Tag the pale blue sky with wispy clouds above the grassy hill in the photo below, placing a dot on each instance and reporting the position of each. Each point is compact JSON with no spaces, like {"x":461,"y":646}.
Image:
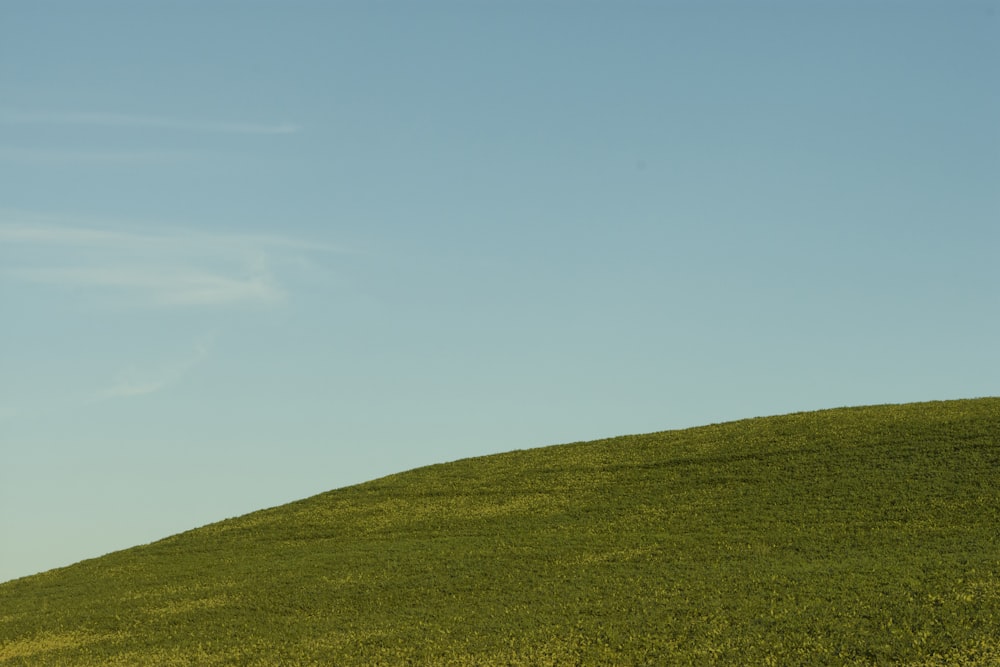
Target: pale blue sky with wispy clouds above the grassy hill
{"x":253,"y":251}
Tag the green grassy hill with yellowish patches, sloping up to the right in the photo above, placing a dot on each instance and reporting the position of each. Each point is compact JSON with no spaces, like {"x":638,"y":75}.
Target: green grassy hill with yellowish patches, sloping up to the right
{"x":850,"y":536}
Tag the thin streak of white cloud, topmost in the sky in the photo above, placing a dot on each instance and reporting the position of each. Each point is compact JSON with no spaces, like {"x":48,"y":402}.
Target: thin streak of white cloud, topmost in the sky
{"x":13,"y":116}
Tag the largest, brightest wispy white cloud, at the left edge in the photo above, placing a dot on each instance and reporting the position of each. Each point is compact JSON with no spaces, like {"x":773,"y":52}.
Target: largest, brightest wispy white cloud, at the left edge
{"x":173,"y":268}
